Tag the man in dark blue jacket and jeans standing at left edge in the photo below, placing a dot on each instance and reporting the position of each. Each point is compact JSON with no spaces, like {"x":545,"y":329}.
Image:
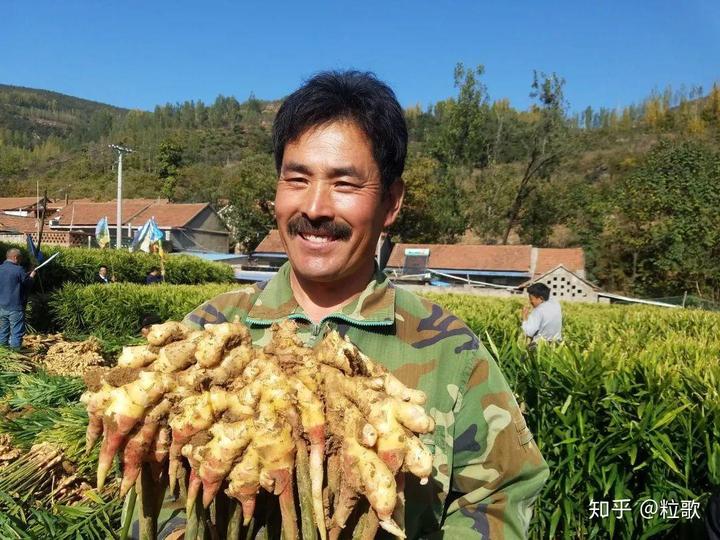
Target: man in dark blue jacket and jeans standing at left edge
{"x":14,"y":286}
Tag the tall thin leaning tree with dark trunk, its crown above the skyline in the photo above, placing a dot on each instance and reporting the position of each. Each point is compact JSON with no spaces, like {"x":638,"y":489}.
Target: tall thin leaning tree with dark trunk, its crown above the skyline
{"x":547,"y":141}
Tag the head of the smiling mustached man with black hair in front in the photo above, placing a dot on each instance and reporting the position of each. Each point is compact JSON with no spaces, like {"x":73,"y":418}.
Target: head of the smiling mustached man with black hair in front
{"x":340,"y":143}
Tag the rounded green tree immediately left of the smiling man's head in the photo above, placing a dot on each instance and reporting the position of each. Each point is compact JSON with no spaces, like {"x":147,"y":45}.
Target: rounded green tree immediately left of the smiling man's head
{"x":250,"y":186}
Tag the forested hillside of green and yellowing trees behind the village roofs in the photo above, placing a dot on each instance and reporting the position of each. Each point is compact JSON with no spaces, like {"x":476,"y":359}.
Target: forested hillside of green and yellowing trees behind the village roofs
{"x":638,"y":188}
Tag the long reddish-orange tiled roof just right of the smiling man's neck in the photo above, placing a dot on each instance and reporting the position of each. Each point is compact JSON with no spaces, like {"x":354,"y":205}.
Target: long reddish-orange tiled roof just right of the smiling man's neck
{"x":468,"y":257}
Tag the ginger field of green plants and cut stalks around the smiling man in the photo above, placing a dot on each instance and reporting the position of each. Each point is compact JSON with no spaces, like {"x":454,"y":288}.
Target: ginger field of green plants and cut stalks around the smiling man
{"x":626,"y":409}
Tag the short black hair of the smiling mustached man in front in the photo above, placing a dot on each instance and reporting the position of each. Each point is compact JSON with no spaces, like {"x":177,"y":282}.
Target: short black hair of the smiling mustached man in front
{"x":347,"y":95}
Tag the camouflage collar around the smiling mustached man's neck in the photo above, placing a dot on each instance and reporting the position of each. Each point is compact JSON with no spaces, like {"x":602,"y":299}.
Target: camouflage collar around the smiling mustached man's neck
{"x":373,"y":306}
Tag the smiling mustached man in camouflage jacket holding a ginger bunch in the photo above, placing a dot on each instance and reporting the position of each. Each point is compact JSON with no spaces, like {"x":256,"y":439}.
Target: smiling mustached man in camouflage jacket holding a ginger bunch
{"x":340,"y":143}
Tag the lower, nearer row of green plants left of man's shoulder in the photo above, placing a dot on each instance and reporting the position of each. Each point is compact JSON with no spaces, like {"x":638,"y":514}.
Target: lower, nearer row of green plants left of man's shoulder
{"x":119,"y":309}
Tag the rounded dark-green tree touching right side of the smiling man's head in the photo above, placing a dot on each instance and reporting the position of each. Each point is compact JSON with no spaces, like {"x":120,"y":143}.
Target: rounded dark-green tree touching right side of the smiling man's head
{"x":430,"y":211}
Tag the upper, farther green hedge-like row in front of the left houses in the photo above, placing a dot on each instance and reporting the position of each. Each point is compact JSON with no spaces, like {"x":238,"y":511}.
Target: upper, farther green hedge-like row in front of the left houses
{"x":80,"y":265}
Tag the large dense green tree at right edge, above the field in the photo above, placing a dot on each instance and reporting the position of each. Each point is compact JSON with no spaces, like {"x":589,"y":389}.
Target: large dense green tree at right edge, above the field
{"x":665,"y":224}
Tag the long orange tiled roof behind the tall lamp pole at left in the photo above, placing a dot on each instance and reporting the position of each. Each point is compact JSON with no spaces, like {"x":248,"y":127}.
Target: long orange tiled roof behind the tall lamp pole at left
{"x":135,"y":211}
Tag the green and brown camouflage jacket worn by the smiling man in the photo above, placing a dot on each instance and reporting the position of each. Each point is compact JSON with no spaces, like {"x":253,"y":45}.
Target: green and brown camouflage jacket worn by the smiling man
{"x":487,"y":469}
